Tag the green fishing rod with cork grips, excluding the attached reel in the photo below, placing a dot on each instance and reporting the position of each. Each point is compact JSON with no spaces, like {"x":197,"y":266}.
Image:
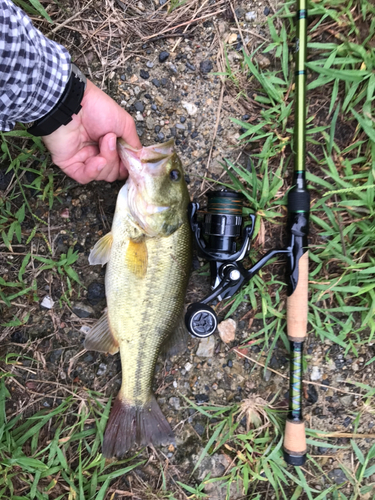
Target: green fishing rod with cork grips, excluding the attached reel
{"x":298,"y":263}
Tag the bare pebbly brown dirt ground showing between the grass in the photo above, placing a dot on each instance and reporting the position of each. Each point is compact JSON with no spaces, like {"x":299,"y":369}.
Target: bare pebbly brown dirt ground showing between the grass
{"x":181,"y":97}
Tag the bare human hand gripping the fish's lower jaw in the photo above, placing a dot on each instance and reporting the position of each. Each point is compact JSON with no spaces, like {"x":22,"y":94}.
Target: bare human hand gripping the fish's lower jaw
{"x":85,"y":149}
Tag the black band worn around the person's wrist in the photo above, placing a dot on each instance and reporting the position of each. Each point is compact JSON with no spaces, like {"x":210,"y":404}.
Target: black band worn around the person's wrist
{"x":68,"y":105}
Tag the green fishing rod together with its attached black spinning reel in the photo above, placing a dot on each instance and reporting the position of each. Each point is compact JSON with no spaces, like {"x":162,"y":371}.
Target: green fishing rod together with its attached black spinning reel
{"x":216,"y":231}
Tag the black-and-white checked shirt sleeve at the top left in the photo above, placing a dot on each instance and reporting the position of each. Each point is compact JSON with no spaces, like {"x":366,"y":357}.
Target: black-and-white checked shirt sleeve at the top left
{"x":33,"y":69}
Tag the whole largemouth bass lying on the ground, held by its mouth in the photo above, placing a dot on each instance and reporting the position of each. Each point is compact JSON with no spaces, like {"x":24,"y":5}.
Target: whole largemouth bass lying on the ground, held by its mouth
{"x":148,"y":257}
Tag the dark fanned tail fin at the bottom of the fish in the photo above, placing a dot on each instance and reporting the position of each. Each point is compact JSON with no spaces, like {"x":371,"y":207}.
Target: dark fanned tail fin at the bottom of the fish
{"x":130,"y":425}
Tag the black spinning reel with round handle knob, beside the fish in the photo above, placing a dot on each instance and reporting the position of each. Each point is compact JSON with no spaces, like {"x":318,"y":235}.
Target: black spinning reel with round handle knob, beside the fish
{"x":215,"y":232}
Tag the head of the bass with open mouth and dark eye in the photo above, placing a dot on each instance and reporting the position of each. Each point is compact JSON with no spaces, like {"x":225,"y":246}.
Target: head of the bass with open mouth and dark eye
{"x":157,"y":194}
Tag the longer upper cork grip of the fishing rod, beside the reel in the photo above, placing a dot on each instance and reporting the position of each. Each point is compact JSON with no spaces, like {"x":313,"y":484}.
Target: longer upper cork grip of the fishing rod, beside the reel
{"x":297,"y":303}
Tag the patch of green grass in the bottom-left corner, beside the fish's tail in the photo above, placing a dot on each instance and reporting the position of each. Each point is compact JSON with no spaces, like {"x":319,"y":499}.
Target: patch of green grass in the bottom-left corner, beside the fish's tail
{"x":56,"y":453}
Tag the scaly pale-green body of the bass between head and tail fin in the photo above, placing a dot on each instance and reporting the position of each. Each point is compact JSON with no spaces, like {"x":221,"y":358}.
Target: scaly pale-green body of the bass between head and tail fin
{"x":157,"y":304}
